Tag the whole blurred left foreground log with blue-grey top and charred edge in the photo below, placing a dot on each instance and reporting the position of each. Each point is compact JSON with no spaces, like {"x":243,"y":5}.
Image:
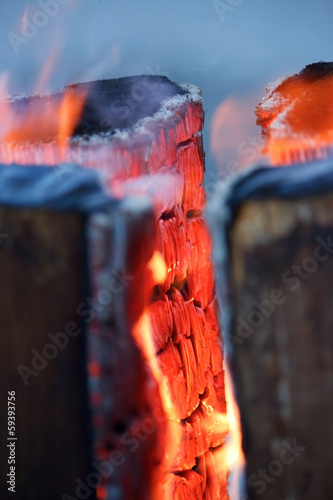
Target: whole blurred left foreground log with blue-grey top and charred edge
{"x":62,"y":336}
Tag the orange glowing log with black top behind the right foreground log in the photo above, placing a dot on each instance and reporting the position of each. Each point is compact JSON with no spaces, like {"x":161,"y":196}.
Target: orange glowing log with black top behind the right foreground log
{"x":296,"y":116}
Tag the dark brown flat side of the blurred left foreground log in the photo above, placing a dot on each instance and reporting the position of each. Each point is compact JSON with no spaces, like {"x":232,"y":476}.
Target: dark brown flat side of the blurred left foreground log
{"x":43,"y":279}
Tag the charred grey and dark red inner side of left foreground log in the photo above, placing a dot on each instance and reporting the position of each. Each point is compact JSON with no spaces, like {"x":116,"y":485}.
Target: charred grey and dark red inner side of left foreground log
{"x":126,"y":434}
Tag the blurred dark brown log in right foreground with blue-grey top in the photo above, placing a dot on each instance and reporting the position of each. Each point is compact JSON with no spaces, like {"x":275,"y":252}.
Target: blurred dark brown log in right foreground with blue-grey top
{"x":276,"y":275}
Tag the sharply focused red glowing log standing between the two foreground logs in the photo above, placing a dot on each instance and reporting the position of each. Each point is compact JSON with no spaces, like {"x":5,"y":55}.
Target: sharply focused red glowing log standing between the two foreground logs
{"x":144,"y":135}
